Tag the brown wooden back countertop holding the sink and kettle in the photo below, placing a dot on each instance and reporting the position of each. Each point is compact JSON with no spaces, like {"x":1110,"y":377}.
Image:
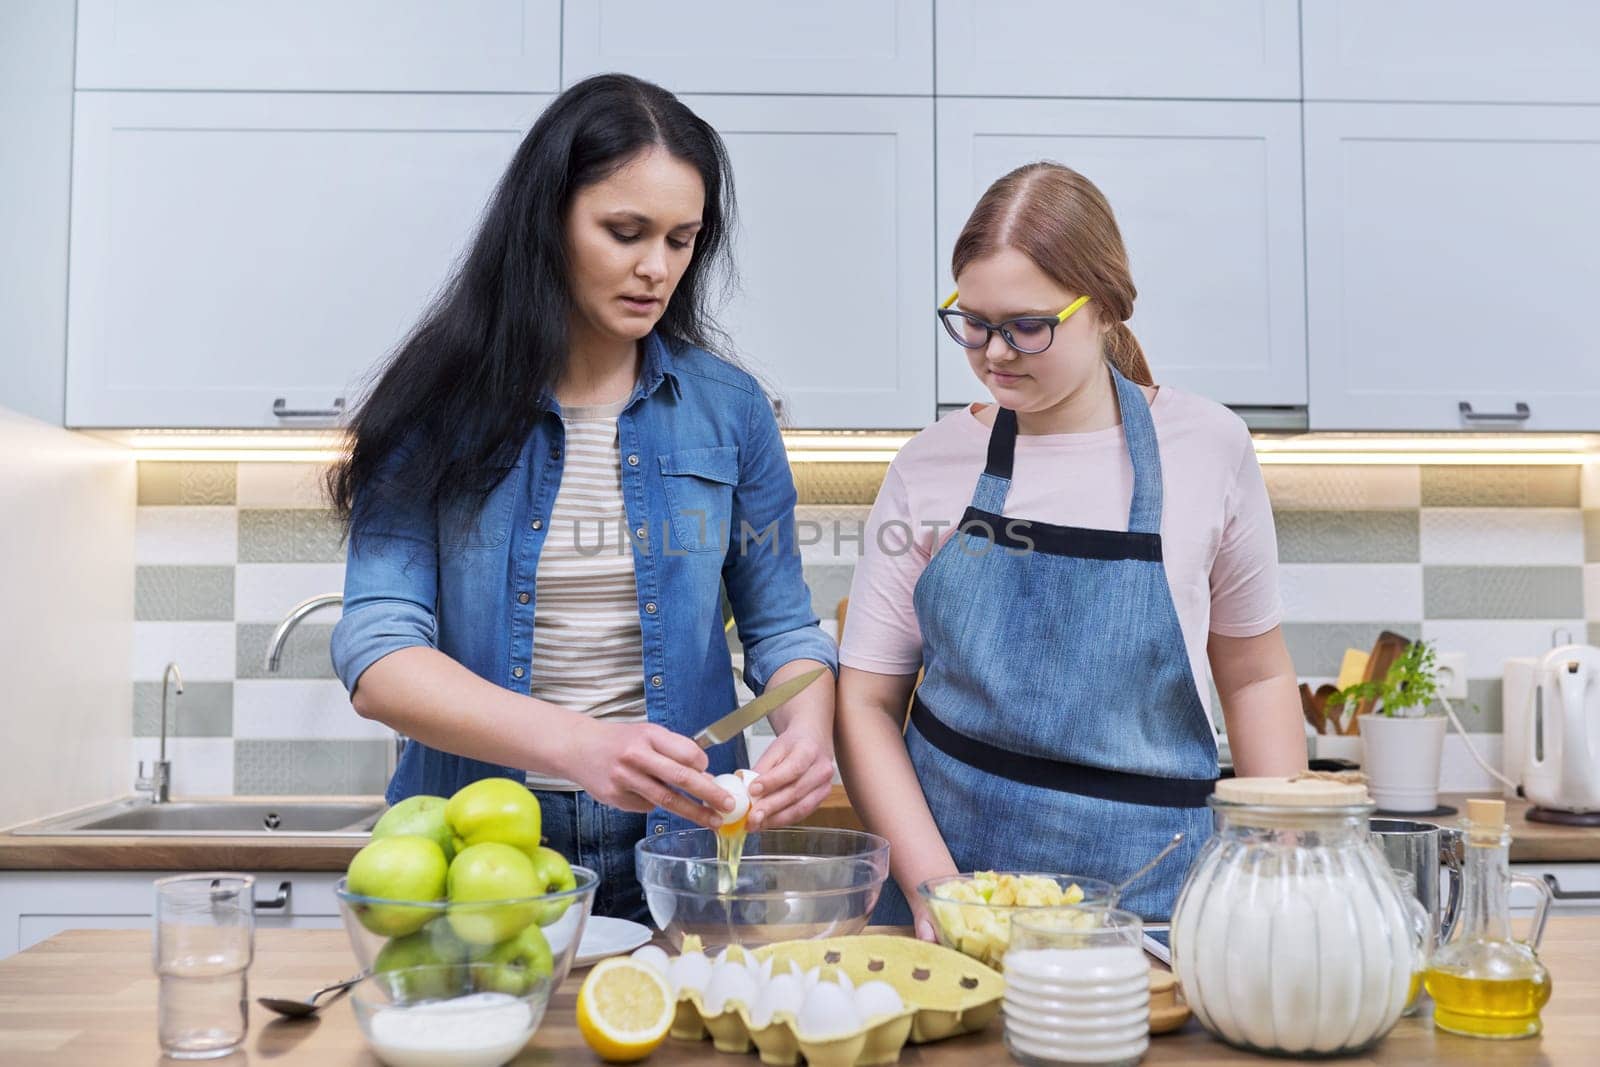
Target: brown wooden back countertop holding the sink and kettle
{"x":1532,"y":842}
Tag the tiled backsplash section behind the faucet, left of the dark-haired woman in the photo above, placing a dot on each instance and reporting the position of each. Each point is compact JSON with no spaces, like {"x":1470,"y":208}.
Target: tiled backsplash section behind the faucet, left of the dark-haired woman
{"x":223,"y":553}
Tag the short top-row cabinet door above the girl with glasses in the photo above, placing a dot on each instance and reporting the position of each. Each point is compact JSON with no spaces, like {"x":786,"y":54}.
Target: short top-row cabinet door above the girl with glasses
{"x":1154,"y":49}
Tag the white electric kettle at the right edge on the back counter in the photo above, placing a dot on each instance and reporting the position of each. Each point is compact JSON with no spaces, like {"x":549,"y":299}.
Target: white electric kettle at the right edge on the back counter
{"x":1562,"y":770}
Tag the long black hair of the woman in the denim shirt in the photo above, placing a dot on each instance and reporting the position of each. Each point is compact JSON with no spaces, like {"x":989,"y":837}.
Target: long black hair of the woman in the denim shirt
{"x":452,"y":410}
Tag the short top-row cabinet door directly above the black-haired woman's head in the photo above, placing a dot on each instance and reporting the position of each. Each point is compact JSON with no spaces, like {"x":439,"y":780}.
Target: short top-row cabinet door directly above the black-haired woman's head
{"x":881,"y":47}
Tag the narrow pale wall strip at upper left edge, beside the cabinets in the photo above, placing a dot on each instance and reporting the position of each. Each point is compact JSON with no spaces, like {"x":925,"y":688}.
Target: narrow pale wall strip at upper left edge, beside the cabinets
{"x":36,"y":170}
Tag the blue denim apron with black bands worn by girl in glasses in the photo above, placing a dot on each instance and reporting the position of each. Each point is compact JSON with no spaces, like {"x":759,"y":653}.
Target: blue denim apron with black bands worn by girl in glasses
{"x":1058,"y":725}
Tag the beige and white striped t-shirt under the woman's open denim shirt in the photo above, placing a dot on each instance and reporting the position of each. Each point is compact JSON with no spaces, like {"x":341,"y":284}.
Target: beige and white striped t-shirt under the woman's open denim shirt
{"x":588,"y":652}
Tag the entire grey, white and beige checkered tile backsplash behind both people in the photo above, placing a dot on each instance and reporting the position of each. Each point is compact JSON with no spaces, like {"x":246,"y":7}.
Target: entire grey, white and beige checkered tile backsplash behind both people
{"x":1494,"y":562}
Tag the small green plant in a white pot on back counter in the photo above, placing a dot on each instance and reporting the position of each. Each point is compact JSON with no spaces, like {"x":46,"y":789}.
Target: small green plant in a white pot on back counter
{"x":1404,"y":737}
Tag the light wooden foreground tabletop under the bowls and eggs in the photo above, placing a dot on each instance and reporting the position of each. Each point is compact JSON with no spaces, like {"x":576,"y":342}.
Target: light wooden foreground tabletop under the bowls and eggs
{"x":87,"y":997}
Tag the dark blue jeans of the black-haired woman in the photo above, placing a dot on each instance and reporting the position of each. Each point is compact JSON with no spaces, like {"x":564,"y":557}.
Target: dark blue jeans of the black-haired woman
{"x":593,"y":836}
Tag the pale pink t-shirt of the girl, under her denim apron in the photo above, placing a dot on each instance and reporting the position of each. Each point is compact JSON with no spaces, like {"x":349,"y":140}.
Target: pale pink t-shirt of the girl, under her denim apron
{"x":1218,"y":540}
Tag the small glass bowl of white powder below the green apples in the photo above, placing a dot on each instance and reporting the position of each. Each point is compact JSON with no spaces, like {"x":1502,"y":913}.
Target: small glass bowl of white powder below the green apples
{"x":465,"y":1015}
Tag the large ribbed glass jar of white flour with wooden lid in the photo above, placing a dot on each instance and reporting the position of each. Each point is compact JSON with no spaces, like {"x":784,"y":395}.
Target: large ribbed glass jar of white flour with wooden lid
{"x":1290,"y":935}
